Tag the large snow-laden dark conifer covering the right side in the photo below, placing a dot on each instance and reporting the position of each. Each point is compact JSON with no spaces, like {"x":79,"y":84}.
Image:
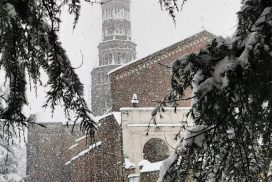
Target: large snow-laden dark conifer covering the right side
{"x":232,"y":105}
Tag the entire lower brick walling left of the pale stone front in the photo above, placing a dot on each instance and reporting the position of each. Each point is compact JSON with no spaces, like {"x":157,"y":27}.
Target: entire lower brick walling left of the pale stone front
{"x":50,"y":148}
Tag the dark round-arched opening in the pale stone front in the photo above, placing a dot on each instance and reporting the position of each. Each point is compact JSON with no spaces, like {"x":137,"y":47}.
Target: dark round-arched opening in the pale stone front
{"x":155,"y":149}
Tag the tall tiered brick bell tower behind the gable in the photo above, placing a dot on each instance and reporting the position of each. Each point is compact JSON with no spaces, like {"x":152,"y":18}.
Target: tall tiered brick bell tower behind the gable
{"x":115,"y":50}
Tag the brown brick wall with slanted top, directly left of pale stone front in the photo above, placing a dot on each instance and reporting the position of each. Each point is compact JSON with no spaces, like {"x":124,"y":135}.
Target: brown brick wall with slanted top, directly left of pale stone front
{"x":103,"y":163}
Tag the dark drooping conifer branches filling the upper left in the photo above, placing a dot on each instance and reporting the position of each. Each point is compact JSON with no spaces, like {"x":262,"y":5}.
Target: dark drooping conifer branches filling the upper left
{"x":28,"y":43}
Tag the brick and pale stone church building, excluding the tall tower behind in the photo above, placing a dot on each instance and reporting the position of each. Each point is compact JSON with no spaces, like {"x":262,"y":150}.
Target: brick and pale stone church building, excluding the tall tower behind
{"x":54,"y":154}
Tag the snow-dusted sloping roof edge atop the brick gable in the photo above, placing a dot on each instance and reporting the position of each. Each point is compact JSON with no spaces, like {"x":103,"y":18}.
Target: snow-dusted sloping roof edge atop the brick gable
{"x":185,"y":41}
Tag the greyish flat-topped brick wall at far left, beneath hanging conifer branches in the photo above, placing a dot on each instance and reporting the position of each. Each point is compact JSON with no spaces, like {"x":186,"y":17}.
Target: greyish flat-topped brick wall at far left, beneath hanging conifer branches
{"x":46,"y":151}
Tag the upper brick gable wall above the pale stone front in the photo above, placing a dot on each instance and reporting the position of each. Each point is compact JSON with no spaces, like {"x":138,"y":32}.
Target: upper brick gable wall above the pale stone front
{"x":148,"y":78}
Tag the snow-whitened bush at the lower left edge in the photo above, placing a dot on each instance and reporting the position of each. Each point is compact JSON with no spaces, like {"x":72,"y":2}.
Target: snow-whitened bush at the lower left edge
{"x":12,"y":146}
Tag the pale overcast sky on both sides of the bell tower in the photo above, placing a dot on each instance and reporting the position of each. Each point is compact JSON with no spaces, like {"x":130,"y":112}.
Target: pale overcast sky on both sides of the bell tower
{"x":152,"y":30}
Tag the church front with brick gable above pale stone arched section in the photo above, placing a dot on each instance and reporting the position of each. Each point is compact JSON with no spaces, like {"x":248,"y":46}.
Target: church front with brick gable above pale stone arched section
{"x":150,"y":79}
